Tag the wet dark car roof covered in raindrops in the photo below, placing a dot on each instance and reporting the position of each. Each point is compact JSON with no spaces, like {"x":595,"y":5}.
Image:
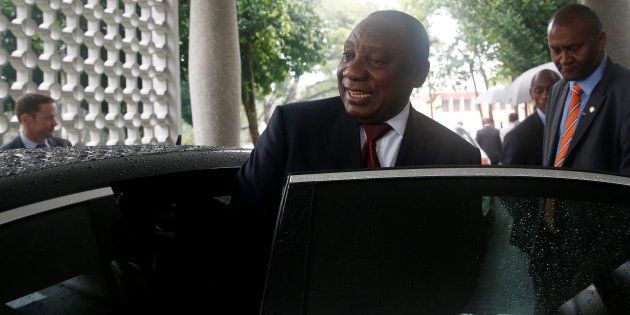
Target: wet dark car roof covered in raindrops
{"x":28,"y":175}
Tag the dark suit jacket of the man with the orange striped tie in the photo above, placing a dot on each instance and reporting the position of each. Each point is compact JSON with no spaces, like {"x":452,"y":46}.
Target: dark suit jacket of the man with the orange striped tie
{"x":602,"y":137}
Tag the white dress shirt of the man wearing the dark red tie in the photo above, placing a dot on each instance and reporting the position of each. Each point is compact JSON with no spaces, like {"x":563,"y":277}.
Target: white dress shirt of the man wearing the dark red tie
{"x":387,"y":147}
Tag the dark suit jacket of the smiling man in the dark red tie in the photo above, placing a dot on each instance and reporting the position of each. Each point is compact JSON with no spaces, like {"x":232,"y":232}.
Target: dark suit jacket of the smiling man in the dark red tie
{"x":319,"y":135}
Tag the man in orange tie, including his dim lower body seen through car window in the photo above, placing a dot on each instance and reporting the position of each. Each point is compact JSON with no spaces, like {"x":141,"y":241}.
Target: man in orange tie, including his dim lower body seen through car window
{"x":587,"y":128}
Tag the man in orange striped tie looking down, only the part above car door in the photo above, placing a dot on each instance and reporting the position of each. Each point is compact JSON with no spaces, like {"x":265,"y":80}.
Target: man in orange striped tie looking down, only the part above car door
{"x":588,"y":114}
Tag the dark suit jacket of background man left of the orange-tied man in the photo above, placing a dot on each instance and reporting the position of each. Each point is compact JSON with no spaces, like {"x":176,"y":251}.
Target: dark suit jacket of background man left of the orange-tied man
{"x":523,"y":144}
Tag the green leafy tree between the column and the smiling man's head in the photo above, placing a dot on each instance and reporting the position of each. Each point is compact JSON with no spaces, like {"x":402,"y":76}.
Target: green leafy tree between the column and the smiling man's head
{"x":286,"y":38}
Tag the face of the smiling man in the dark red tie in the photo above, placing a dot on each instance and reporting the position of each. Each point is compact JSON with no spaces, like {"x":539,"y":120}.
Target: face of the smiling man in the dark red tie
{"x":377,"y":71}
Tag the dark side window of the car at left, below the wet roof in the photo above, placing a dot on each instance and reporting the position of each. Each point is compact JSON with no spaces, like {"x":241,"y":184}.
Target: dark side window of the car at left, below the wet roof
{"x":66,"y":269}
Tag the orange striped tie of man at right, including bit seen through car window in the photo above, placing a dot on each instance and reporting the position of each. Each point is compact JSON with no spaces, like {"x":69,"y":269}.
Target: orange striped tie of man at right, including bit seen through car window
{"x":563,"y":148}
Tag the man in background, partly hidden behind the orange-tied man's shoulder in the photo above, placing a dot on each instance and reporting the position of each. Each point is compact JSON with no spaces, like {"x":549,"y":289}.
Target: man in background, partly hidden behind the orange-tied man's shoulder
{"x":523,"y":144}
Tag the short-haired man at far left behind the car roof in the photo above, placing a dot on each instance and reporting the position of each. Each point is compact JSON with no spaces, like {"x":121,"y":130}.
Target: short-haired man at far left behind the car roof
{"x":37,"y":115}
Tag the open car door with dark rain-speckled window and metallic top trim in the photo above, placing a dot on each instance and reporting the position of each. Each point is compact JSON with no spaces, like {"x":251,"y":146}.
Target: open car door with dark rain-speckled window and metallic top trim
{"x":388,"y":242}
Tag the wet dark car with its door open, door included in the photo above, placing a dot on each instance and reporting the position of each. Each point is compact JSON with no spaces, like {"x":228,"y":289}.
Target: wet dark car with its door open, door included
{"x":108,"y":230}
